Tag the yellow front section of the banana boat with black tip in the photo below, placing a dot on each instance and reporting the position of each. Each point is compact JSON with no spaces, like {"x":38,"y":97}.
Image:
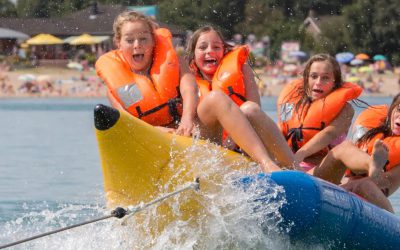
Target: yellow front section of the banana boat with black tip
{"x":140,"y":162}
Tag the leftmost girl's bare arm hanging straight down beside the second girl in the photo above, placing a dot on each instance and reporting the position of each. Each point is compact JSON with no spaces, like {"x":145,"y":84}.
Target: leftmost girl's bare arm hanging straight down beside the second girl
{"x":190,"y":99}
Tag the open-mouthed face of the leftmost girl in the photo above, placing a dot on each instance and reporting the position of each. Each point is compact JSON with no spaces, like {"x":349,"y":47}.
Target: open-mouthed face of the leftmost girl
{"x":137,"y":44}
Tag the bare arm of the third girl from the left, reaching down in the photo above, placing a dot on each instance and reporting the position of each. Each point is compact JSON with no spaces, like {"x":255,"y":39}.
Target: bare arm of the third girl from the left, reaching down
{"x":340,"y":125}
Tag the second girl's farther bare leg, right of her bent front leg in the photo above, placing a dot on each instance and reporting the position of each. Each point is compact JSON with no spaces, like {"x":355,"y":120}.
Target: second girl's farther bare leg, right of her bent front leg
{"x":269,"y":133}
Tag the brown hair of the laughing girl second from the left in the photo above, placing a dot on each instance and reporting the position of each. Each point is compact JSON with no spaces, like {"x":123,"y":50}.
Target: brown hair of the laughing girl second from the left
{"x":191,"y":47}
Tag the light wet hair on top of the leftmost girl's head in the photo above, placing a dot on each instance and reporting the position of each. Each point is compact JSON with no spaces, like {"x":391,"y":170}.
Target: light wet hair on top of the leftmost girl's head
{"x":131,"y":16}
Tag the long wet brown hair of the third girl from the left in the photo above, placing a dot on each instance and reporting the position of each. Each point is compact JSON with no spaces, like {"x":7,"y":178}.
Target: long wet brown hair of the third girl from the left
{"x":337,"y":76}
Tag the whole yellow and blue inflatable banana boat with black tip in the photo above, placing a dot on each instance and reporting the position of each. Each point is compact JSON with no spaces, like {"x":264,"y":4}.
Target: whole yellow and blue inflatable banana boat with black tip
{"x":141,"y":163}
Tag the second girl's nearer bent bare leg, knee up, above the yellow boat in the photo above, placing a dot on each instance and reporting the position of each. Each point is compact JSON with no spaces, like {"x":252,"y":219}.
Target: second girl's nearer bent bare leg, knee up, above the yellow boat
{"x":217,"y":110}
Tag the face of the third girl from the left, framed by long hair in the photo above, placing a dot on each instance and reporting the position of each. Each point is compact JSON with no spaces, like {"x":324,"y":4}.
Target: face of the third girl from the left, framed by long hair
{"x":320,"y":80}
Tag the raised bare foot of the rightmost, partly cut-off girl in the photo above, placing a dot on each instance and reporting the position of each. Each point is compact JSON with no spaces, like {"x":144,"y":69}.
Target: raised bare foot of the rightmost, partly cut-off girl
{"x":379,"y":158}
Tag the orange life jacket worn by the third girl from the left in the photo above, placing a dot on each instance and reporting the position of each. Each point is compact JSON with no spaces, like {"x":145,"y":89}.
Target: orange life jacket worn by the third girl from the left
{"x":299,"y":126}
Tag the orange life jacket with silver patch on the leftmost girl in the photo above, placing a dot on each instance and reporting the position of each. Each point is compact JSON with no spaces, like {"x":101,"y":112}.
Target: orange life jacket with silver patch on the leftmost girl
{"x":157,"y":100}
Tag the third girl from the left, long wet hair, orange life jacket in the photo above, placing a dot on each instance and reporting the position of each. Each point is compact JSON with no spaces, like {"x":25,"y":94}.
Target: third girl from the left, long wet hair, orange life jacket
{"x":313,"y":112}
